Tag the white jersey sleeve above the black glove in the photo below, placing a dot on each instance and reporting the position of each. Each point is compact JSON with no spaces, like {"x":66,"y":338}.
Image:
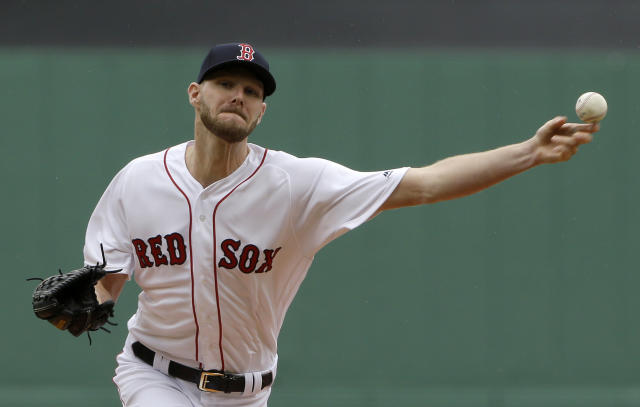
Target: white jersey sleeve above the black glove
{"x":107,"y":226}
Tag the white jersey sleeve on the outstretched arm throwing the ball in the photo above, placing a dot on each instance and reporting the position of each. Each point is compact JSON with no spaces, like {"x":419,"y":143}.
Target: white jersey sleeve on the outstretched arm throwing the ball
{"x":330,"y":199}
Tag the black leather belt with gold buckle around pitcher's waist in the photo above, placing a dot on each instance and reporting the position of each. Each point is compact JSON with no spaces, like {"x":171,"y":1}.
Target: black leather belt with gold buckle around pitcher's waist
{"x":209,"y":380}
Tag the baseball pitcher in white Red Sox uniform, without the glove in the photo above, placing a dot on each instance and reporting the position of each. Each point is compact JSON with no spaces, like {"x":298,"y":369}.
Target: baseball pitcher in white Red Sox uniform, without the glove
{"x":219,"y":234}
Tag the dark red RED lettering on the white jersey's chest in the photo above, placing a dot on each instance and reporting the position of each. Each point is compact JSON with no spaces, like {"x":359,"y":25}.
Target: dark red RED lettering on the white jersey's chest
{"x":176,"y":250}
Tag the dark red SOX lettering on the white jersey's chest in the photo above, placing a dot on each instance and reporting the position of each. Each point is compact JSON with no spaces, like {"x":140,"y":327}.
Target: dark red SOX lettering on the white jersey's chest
{"x":249,"y":257}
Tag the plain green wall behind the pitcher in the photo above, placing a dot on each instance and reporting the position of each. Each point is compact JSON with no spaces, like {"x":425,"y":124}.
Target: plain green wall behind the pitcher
{"x":521,"y":295}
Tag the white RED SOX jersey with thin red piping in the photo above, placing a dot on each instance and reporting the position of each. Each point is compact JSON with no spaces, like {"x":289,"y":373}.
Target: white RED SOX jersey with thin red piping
{"x":219,"y":266}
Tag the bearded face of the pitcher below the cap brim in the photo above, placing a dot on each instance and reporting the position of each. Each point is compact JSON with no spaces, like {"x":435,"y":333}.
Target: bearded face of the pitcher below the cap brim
{"x":231,"y":103}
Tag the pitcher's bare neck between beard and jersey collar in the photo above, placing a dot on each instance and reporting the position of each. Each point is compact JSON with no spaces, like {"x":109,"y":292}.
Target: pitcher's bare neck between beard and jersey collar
{"x":211,"y":159}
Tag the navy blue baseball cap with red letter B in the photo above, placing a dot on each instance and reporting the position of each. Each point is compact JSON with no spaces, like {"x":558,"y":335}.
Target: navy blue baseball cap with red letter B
{"x":238,"y":54}
